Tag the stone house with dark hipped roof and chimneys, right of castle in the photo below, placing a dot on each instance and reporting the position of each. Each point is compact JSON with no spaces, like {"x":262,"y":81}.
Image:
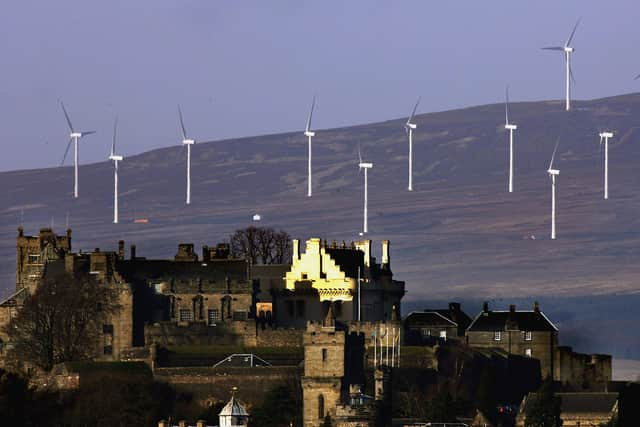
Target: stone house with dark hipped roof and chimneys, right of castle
{"x":526,"y":333}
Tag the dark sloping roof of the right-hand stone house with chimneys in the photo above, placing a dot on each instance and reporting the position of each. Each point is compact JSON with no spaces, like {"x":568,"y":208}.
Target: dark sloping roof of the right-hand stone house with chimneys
{"x":520,"y":320}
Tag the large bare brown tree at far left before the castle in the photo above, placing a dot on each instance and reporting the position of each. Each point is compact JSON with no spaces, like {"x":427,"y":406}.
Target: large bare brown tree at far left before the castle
{"x":62,"y":321}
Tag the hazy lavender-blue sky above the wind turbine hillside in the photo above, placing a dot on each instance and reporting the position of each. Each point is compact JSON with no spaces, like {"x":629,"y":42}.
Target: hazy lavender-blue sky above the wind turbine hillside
{"x":244,"y":68}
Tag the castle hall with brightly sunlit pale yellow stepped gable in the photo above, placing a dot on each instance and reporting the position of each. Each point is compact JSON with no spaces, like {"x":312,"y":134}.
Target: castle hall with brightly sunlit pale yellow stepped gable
{"x":326,"y":277}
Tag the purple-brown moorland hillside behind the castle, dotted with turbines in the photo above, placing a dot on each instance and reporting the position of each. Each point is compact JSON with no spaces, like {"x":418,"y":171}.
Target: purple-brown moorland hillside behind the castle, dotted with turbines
{"x":459,"y":233}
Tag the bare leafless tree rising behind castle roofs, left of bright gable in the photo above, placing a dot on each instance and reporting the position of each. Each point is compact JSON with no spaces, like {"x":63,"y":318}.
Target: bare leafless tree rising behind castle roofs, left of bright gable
{"x":260,"y":245}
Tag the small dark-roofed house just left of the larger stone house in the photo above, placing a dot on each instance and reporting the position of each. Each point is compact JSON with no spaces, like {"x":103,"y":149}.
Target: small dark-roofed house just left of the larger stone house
{"x":435,"y":325}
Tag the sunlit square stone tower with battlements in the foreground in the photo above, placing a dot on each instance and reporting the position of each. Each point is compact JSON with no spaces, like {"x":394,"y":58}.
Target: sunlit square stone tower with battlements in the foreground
{"x":323,"y":372}
